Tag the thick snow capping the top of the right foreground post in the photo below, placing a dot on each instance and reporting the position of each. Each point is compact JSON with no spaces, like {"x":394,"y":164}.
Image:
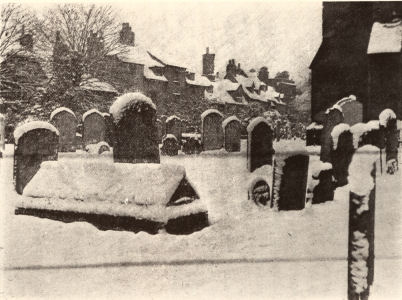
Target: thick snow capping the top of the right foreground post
{"x":360,"y":180}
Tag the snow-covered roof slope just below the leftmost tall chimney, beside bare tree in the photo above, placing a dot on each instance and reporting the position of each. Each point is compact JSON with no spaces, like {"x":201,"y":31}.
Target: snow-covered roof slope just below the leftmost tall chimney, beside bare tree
{"x":135,"y":55}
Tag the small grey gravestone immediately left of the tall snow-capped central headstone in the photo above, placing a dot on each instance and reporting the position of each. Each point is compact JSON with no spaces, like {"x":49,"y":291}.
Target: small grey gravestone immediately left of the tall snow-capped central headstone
{"x":94,"y":127}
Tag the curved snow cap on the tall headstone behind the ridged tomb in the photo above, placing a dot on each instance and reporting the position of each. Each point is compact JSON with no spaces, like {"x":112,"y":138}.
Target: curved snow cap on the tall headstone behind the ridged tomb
{"x":127,"y":101}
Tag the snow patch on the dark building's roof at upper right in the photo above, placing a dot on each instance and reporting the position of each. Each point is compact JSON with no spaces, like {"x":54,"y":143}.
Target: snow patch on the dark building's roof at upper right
{"x":385,"y":38}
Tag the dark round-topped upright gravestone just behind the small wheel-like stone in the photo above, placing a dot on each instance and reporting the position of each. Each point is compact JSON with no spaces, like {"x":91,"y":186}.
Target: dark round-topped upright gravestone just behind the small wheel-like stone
{"x":259,"y":144}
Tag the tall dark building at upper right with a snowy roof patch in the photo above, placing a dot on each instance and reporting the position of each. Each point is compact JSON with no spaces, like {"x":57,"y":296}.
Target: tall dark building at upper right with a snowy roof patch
{"x":345,"y":65}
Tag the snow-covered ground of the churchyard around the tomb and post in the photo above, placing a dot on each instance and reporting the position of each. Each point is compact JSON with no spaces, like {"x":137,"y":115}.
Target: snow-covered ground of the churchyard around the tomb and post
{"x":247,"y":252}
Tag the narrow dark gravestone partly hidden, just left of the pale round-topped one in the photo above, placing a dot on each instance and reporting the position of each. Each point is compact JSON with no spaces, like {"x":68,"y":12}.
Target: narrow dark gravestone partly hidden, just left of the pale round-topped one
{"x":334,"y":116}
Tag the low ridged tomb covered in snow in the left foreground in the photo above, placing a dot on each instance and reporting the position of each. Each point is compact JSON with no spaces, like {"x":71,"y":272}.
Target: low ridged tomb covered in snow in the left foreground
{"x":135,"y":197}
